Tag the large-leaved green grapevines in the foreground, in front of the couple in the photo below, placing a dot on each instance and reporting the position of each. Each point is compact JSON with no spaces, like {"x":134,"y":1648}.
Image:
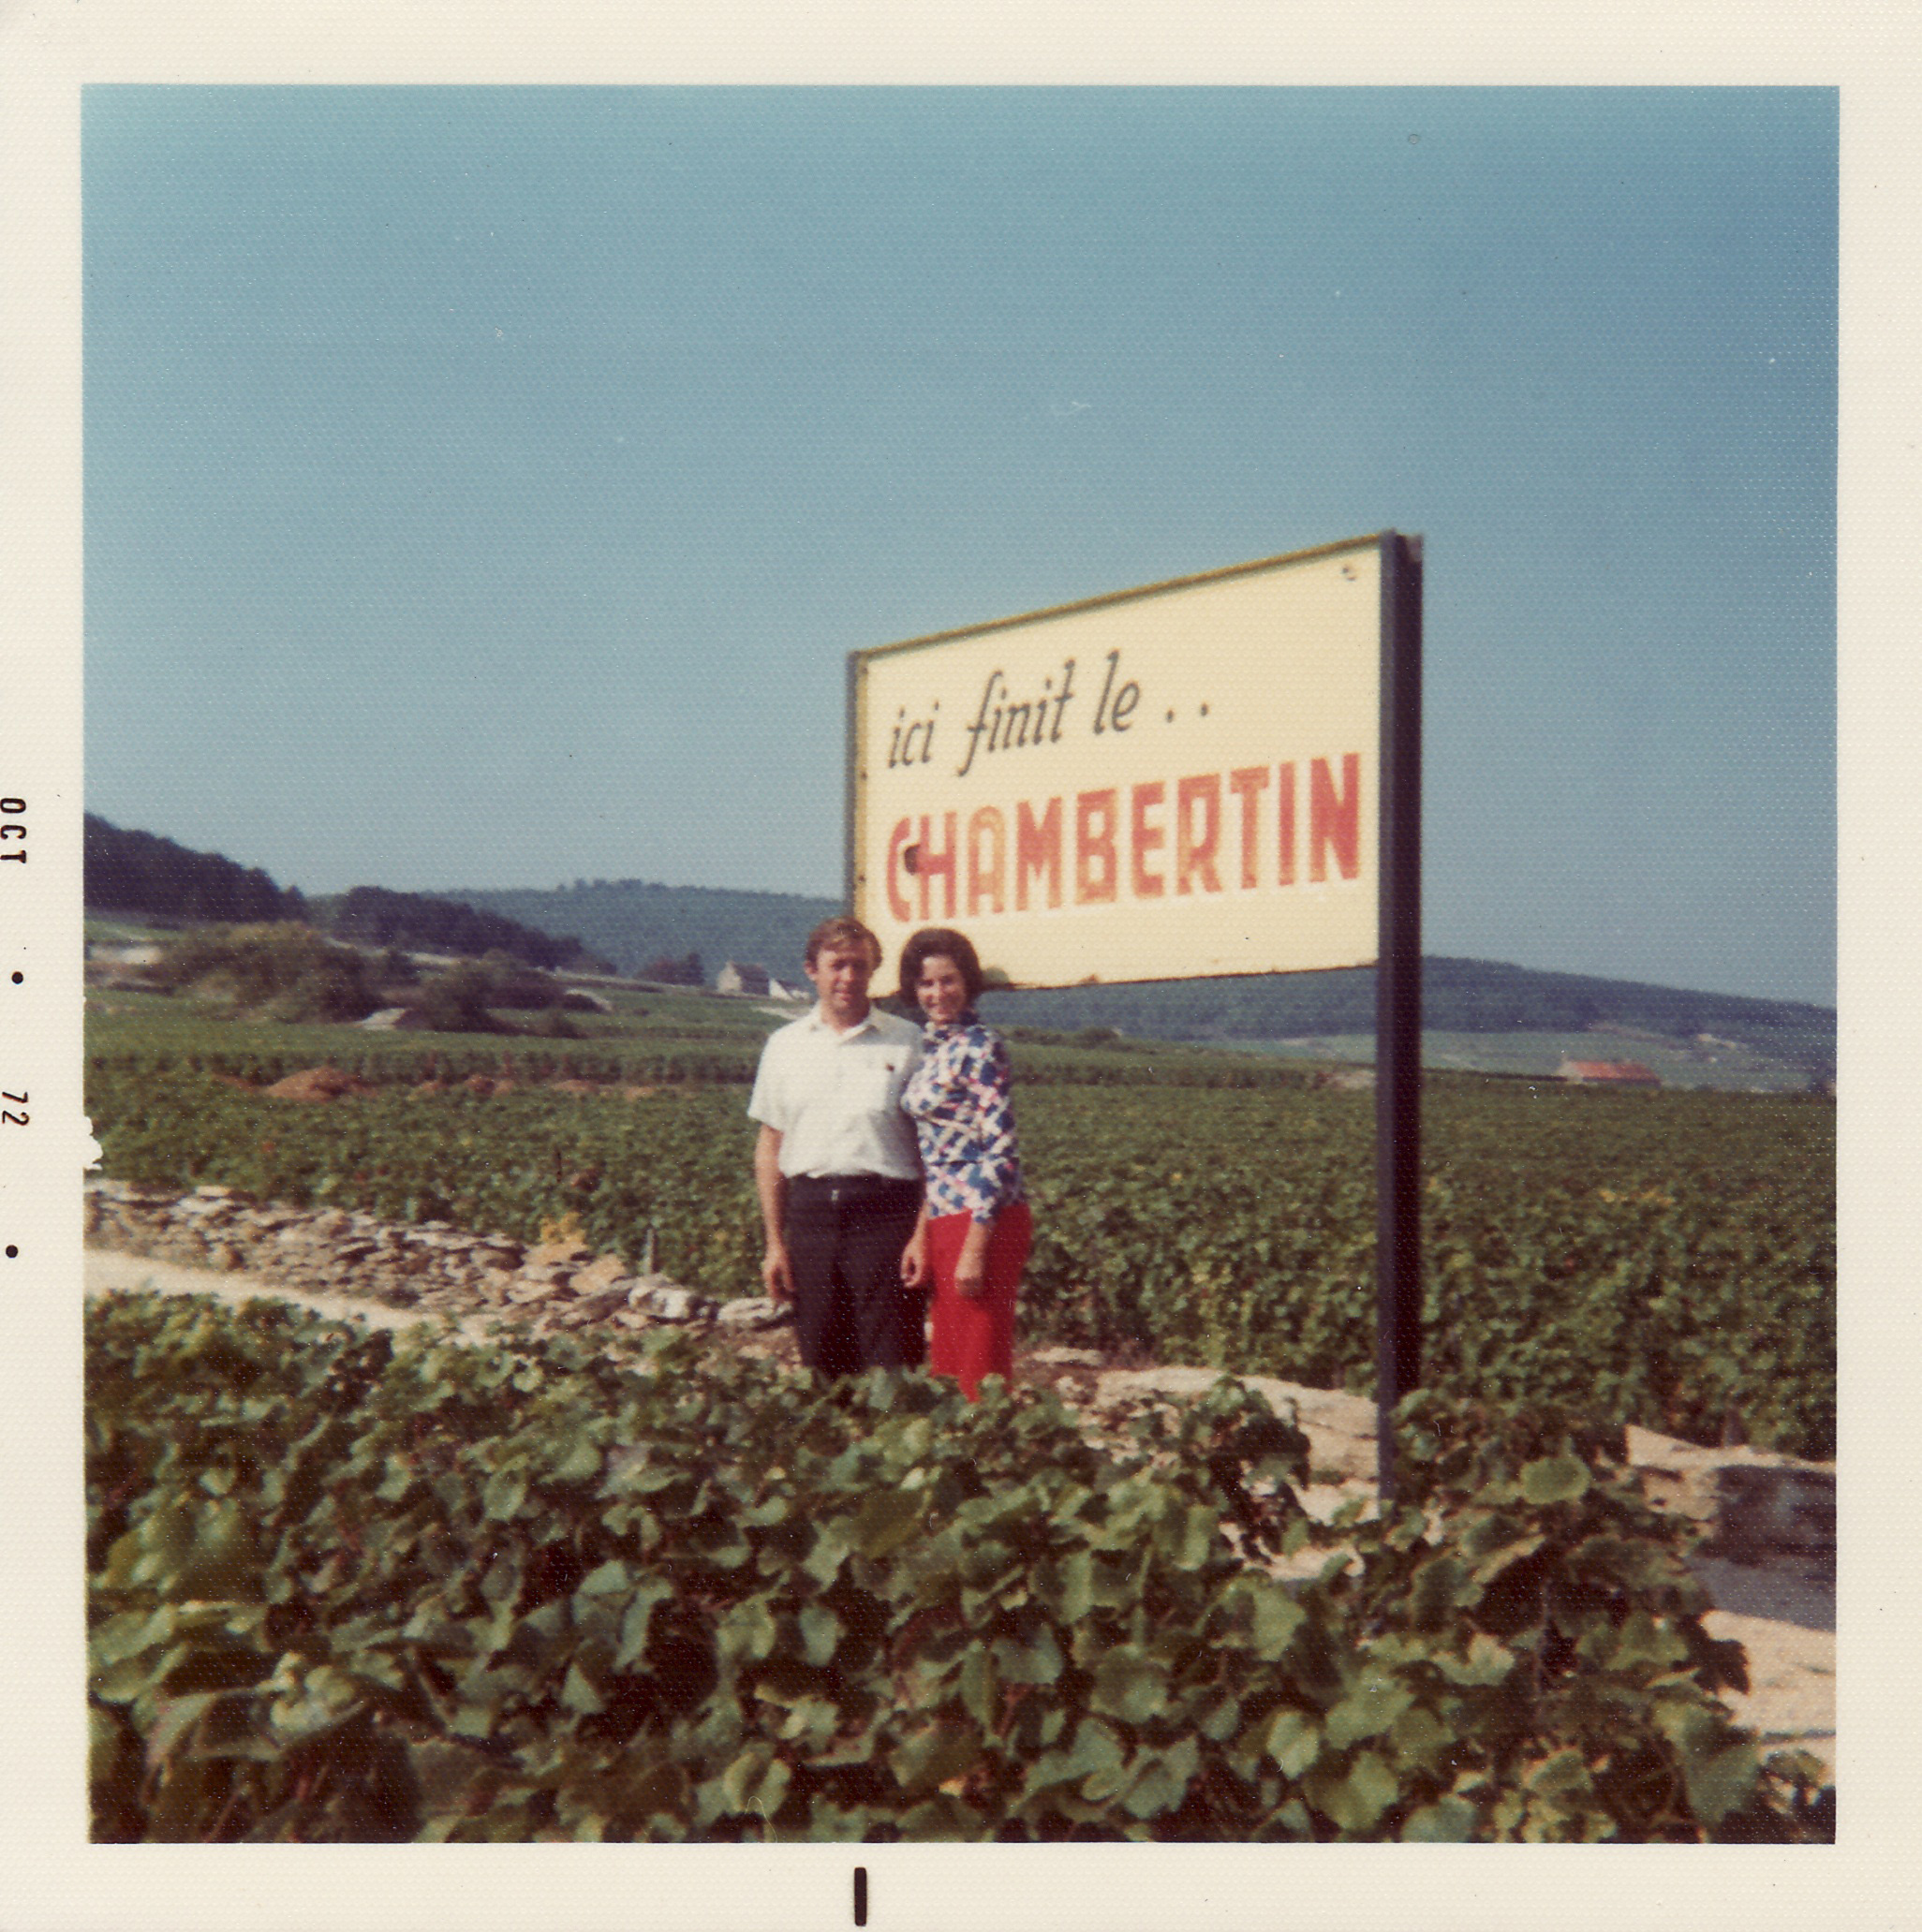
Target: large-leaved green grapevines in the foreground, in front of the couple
{"x":347,"y":1589}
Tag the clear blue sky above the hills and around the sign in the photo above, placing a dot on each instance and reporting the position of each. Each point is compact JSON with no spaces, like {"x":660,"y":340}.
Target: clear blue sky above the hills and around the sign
{"x":486,"y":486}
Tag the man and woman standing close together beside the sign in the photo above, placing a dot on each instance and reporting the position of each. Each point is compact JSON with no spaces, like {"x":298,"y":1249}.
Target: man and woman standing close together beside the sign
{"x":888,"y":1166}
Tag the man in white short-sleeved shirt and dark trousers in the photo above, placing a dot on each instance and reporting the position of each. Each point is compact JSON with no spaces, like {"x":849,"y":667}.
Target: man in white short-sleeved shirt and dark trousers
{"x":837,"y":1166}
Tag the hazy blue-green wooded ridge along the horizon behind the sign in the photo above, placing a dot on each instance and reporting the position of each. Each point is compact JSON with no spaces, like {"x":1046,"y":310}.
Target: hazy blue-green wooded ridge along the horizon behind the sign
{"x":635,"y":923}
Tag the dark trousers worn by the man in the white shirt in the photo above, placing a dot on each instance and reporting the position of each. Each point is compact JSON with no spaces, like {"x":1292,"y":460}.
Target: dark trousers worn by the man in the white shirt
{"x":845,"y":1241}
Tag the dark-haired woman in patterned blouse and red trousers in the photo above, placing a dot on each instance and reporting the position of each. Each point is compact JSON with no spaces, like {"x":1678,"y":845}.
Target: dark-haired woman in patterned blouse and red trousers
{"x":973,"y":1243}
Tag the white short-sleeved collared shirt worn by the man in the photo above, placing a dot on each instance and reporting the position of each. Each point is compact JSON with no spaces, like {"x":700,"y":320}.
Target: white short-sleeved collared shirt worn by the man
{"x":835,"y":1098}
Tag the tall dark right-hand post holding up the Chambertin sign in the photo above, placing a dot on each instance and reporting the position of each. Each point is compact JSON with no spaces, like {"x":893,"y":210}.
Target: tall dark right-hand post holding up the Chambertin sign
{"x":1399,"y":1002}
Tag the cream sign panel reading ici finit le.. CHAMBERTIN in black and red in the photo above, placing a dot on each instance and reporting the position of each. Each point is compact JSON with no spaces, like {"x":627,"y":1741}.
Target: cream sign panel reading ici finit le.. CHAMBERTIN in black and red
{"x":1170,"y":783}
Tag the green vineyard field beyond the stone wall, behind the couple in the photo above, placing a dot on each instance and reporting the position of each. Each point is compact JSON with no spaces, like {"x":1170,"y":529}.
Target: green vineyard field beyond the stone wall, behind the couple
{"x":1653,"y":1259}
